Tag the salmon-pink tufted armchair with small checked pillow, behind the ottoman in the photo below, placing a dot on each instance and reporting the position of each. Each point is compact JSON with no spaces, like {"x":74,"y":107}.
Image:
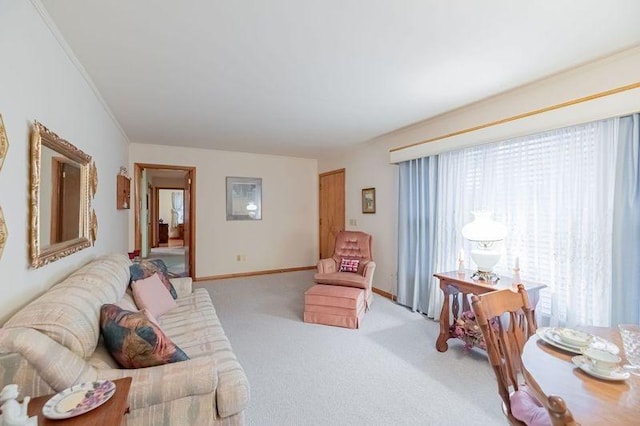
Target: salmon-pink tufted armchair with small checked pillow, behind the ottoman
{"x":353,"y":251}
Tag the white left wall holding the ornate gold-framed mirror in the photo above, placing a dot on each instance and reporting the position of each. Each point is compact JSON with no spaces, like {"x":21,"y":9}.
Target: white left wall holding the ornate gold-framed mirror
{"x":38,"y":81}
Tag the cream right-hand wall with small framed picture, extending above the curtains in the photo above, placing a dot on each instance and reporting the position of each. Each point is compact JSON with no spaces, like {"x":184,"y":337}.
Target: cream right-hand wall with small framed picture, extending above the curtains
{"x":368,"y":165}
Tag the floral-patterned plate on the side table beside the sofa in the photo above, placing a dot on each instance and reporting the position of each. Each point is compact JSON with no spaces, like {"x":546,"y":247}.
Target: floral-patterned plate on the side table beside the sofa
{"x":78,"y":399}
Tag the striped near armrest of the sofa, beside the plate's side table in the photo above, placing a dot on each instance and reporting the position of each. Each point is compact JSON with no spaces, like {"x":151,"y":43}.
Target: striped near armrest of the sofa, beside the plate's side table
{"x":168,"y":382}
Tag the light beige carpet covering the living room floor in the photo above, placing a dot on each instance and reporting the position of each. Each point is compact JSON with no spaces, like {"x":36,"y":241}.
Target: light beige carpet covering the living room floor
{"x":388,"y":372}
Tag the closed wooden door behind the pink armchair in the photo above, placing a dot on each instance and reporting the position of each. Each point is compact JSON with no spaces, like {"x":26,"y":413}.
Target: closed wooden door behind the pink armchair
{"x":332,"y":204}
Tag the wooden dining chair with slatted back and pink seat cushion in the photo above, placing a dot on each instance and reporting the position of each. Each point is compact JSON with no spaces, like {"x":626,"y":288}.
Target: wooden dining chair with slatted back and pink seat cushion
{"x":505,"y":339}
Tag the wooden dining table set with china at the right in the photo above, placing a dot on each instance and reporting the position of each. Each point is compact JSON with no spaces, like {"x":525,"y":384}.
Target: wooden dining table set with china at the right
{"x":591,"y":400}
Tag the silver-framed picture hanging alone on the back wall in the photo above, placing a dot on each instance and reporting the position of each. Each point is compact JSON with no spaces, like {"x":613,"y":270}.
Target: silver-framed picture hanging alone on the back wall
{"x":244,"y":198}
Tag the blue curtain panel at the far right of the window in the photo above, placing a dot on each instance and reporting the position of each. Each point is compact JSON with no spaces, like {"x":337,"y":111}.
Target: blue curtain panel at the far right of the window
{"x":626,"y":225}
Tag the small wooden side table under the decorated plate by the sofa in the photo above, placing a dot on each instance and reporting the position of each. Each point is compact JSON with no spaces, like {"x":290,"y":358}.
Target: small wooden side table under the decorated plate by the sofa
{"x":110,"y":413}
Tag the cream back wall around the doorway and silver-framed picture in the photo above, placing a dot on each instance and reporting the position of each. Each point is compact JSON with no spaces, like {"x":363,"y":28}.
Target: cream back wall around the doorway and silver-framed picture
{"x":287,"y":235}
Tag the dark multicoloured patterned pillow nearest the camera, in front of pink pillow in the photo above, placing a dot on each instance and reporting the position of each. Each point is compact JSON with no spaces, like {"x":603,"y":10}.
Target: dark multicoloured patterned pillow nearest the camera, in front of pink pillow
{"x":135,"y":341}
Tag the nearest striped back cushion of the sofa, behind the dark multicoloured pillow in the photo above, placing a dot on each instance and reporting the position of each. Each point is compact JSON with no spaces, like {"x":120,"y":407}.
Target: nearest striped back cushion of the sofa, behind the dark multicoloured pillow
{"x":69,"y":312}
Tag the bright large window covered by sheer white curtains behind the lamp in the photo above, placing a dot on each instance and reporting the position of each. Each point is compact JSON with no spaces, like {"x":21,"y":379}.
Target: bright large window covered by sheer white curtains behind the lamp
{"x":554,"y":191}
